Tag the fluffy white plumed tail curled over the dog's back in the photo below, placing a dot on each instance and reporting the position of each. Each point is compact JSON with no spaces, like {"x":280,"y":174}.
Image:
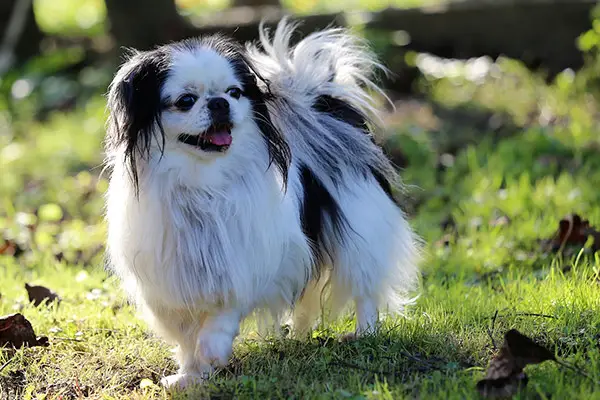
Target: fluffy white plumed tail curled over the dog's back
{"x":331,"y":62}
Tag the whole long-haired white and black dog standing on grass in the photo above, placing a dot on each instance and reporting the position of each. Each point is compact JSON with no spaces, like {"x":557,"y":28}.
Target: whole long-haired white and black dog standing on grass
{"x":246,"y":179}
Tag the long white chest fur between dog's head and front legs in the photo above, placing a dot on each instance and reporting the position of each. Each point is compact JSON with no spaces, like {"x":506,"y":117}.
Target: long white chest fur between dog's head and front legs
{"x":184,"y":246}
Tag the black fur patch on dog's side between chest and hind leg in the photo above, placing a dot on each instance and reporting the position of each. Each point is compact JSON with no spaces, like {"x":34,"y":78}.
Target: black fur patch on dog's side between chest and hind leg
{"x":318,"y":207}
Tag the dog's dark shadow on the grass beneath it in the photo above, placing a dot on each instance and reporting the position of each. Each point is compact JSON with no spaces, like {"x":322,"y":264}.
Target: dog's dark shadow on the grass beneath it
{"x":326,"y":363}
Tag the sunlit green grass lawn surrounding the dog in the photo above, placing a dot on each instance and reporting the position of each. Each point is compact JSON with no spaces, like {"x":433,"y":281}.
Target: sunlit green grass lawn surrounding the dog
{"x":492,"y":162}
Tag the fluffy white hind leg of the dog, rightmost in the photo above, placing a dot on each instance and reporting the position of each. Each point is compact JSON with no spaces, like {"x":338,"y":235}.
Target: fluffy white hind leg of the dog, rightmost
{"x":375,"y":255}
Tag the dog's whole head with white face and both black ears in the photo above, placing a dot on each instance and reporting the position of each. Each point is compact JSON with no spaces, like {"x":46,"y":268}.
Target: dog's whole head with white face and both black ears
{"x":196,"y":98}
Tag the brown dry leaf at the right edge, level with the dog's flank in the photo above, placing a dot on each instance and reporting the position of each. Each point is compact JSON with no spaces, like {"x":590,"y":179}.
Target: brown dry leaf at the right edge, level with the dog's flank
{"x":573,"y":231}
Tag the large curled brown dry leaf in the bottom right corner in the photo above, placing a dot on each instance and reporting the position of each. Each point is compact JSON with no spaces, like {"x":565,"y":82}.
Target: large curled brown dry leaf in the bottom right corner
{"x":505,"y":376}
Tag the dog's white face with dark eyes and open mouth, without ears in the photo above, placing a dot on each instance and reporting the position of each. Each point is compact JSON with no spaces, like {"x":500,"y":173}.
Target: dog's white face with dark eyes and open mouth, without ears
{"x":204,"y":105}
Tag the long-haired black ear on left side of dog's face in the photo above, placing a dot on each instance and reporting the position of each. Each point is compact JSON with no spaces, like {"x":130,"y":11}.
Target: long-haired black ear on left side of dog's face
{"x":135,"y":105}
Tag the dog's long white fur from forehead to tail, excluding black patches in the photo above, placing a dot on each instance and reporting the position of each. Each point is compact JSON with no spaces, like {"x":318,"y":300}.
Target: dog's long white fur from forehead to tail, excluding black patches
{"x":213,"y":238}
